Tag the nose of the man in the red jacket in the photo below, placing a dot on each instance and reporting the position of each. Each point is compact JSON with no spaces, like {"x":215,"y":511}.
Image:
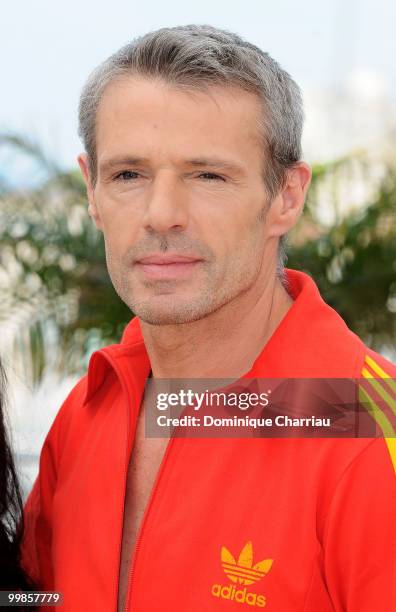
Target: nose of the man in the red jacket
{"x":166,"y":206}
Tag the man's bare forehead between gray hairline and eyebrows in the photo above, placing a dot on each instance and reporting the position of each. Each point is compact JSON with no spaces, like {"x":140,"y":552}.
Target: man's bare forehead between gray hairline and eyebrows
{"x":150,"y":117}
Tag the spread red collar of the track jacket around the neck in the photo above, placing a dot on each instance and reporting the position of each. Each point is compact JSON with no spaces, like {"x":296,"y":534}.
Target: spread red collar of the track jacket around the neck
{"x":311,"y":341}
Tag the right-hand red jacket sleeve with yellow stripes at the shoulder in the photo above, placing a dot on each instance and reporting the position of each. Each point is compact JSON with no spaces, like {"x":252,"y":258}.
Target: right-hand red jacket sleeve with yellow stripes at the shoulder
{"x":360,"y":532}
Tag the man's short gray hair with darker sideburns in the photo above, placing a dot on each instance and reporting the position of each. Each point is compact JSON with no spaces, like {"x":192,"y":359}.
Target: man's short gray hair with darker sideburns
{"x":197,"y":56}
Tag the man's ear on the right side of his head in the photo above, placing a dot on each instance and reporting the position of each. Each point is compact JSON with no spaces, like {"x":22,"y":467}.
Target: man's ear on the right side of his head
{"x":288,"y":205}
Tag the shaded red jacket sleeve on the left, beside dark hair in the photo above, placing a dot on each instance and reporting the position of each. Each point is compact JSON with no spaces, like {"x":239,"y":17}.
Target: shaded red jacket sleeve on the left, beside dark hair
{"x":37,"y":539}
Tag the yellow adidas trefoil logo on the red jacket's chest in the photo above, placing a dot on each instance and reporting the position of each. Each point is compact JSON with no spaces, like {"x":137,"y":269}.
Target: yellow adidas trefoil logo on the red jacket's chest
{"x":243,"y":572}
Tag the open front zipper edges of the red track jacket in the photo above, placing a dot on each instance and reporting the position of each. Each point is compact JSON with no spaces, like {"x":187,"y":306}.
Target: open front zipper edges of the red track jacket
{"x":151,"y":496}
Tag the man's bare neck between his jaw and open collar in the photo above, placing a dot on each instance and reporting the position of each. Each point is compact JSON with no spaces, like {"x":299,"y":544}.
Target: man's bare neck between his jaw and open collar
{"x":225,"y":343}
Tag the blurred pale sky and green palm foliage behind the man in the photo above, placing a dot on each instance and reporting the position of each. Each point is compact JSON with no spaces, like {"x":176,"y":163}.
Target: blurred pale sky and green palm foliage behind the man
{"x":56,"y":302}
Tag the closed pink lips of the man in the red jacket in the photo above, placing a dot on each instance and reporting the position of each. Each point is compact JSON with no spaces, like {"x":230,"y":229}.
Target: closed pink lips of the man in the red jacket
{"x":167,"y":267}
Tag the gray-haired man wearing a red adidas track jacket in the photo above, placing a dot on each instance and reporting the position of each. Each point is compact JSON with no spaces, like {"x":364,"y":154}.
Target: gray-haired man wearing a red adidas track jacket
{"x":193,"y":170}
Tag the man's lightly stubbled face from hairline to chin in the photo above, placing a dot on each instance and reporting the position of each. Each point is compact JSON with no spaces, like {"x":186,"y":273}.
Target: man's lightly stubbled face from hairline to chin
{"x":180,"y":197}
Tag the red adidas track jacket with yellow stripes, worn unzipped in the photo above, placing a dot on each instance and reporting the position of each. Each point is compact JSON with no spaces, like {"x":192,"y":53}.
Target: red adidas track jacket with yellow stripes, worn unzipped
{"x":297,"y":524}
